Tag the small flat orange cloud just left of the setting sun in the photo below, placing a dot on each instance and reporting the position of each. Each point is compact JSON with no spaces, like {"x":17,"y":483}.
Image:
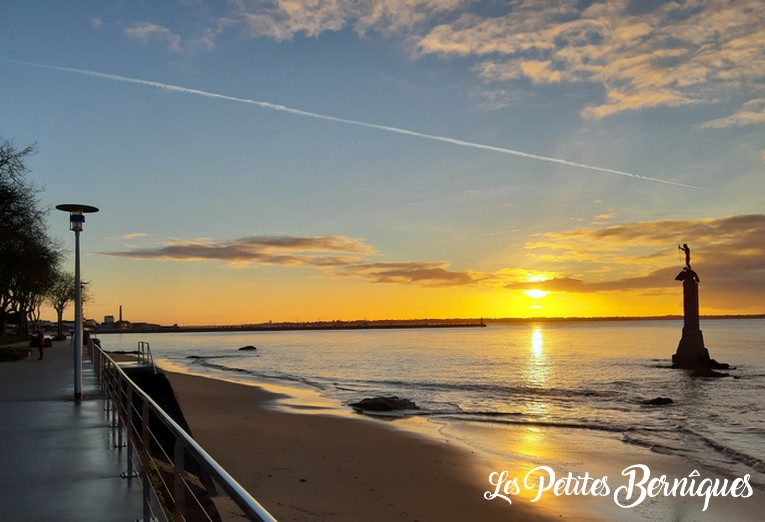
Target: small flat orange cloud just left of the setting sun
{"x":417,"y":272}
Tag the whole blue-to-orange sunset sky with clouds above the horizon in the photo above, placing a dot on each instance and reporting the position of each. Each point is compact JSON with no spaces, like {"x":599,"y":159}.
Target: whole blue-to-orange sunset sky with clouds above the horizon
{"x":287,"y":160}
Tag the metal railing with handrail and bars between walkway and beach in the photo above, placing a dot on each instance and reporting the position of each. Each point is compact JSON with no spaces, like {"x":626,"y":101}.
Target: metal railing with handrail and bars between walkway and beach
{"x":178,"y":477}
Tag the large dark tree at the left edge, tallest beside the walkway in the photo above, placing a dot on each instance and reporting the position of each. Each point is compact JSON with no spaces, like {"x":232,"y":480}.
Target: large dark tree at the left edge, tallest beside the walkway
{"x":28,"y":257}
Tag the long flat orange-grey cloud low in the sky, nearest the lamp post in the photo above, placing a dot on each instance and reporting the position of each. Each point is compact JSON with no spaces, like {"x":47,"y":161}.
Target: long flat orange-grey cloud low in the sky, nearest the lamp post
{"x":318,"y":251}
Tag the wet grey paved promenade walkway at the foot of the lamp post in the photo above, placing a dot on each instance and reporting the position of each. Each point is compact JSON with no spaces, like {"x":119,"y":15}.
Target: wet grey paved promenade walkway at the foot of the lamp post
{"x":57,"y":460}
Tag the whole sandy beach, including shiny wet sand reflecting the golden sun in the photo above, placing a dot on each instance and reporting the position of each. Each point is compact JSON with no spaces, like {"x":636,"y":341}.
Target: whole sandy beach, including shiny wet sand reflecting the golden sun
{"x":317,"y":465}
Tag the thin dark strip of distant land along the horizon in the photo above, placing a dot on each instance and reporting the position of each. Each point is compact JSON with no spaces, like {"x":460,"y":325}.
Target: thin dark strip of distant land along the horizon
{"x":395,"y":324}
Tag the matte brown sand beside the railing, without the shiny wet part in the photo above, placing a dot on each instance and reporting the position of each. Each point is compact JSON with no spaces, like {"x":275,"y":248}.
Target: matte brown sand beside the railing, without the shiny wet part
{"x":324,"y":467}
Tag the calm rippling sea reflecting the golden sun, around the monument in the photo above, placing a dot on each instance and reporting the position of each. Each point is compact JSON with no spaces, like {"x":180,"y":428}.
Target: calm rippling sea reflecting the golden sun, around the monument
{"x":589,"y":376}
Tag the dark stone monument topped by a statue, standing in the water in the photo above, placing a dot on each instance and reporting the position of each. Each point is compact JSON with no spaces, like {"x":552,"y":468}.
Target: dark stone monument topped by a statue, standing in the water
{"x":691,"y":353}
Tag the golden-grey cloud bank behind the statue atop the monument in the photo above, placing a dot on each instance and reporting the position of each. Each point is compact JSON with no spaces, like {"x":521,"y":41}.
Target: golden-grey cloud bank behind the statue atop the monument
{"x":728,"y":253}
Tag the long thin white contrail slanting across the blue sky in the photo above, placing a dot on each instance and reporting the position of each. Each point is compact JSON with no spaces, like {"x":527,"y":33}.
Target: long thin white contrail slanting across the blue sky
{"x":386,"y":128}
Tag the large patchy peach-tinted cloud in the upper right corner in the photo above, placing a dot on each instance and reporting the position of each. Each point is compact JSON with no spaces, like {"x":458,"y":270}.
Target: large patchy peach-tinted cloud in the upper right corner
{"x":667,"y":54}
